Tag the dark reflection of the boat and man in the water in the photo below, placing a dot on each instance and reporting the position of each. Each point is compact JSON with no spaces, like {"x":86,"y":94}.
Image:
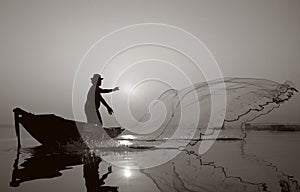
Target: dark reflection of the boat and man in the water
{"x":46,"y":164}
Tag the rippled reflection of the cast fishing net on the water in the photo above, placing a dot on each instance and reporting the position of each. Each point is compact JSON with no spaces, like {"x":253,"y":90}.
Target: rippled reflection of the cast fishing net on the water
{"x":193,"y":173}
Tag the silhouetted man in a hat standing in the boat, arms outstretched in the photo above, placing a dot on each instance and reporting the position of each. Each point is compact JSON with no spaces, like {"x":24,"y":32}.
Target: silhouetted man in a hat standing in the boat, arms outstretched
{"x":94,"y":99}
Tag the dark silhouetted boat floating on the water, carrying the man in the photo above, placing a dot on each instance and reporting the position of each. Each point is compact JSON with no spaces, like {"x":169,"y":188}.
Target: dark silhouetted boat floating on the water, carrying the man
{"x":51,"y":130}
